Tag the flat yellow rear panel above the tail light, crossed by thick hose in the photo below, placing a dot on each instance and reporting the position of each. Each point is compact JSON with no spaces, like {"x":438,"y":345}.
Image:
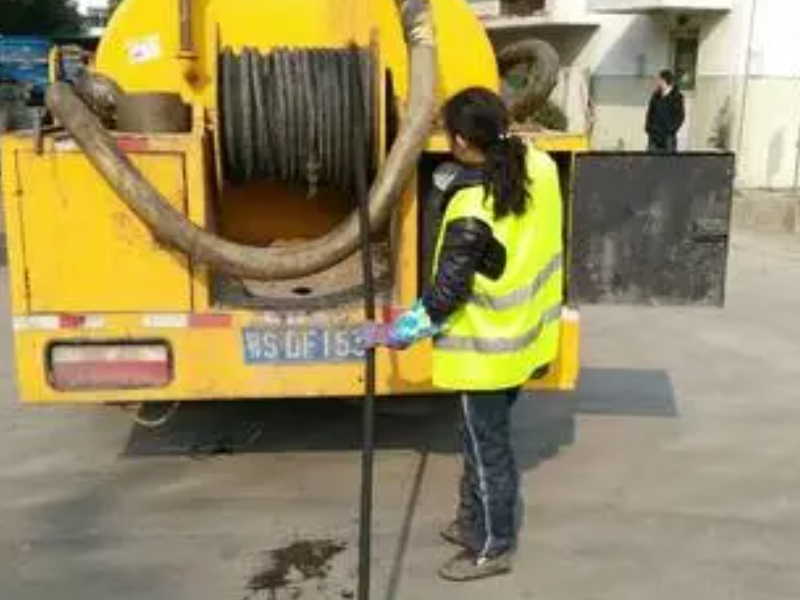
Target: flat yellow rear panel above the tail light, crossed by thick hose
{"x":84,"y":250}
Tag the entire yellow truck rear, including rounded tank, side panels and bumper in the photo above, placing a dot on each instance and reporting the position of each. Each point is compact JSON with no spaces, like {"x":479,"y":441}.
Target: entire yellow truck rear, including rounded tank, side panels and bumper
{"x":85,"y":272}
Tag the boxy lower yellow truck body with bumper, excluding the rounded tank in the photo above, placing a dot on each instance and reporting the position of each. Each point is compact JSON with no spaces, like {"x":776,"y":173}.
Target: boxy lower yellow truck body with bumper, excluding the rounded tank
{"x":84,"y":269}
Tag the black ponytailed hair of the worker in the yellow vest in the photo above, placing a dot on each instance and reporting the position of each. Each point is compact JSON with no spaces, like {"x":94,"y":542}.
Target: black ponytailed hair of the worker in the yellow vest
{"x":481,"y":117}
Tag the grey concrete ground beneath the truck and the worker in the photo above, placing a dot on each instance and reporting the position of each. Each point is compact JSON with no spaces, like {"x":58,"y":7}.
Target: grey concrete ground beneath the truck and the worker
{"x":683,"y":481}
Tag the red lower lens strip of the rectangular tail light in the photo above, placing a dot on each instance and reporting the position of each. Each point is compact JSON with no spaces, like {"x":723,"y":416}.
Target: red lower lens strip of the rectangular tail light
{"x":109,"y":375}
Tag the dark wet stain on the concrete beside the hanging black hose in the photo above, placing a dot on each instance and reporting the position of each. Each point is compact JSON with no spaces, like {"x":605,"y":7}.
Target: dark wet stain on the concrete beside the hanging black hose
{"x":305,"y":559}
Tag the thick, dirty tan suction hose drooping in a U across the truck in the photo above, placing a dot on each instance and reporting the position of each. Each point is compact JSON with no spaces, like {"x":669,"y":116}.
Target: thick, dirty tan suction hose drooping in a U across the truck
{"x":287,"y":262}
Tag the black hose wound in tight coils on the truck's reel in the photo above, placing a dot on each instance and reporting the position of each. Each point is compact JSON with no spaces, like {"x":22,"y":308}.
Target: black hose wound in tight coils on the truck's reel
{"x":286,"y":115}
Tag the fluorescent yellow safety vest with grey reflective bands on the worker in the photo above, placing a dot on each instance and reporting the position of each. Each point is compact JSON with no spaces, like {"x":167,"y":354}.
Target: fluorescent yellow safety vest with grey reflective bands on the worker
{"x":509,"y":328}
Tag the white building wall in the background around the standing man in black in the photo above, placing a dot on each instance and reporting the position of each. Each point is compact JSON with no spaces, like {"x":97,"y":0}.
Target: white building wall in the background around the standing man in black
{"x":747,"y":95}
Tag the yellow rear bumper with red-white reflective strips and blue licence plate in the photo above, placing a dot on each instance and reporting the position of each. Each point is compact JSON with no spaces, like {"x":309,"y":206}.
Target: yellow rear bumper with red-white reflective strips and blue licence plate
{"x":237,"y":355}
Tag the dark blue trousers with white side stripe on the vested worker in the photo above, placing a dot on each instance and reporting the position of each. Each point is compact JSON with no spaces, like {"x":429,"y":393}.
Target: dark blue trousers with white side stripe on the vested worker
{"x":490,"y":483}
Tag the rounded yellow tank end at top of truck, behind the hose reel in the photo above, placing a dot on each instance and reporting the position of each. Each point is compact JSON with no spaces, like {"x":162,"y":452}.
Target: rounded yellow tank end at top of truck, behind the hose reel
{"x":140,"y":48}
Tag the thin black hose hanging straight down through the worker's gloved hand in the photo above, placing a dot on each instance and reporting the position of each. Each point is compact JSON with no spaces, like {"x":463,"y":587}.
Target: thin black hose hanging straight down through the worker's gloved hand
{"x":368,"y":424}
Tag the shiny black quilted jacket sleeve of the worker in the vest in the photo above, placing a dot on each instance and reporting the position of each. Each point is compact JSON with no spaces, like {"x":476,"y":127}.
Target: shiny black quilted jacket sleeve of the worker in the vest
{"x":464,"y":247}
